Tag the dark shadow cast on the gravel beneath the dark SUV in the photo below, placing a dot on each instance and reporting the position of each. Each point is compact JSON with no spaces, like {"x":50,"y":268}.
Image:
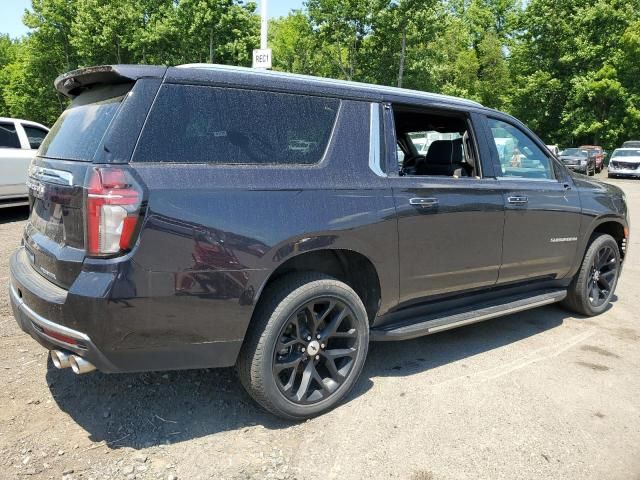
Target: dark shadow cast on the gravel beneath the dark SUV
{"x":143,"y":410}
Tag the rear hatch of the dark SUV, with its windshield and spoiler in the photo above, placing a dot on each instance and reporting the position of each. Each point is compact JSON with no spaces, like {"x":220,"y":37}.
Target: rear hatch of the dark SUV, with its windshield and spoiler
{"x":55,"y":236}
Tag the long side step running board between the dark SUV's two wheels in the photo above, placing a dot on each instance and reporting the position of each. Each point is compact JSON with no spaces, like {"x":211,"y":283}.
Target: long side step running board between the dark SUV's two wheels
{"x":459,"y":318}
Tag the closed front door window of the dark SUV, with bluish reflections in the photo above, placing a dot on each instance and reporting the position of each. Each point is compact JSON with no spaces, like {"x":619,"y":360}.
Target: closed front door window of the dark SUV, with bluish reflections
{"x":518,"y":154}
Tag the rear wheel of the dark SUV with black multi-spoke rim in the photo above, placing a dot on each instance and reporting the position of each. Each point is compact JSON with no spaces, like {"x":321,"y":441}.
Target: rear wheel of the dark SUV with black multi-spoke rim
{"x":280,"y":353}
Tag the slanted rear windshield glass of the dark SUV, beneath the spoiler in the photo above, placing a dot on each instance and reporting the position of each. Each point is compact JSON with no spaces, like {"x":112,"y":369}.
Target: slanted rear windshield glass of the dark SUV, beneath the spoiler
{"x":78,"y":132}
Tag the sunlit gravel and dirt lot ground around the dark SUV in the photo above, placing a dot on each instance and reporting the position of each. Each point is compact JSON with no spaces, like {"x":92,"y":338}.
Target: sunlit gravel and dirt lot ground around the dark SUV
{"x":540,"y":394}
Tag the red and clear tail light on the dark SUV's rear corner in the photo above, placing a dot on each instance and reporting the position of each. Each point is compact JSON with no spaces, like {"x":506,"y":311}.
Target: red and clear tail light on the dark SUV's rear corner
{"x":113,"y":208}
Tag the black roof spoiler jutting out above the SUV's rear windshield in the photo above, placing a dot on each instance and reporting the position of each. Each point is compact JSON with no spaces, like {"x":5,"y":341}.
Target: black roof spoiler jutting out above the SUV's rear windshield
{"x":71,"y":84}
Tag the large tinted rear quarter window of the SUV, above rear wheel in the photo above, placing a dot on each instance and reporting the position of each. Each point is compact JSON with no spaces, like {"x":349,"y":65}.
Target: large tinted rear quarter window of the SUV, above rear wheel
{"x":193,"y":124}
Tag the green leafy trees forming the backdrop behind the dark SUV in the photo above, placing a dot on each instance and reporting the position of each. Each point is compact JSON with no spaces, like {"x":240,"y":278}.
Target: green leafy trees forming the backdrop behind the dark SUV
{"x":567,"y":68}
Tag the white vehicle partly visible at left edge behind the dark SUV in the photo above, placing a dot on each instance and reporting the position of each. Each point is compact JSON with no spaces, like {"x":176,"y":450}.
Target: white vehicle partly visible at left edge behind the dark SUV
{"x":19,"y":141}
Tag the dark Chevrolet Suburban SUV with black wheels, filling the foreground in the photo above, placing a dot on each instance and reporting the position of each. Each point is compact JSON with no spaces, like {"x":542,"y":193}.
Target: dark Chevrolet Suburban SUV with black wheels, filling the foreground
{"x":209,"y":216}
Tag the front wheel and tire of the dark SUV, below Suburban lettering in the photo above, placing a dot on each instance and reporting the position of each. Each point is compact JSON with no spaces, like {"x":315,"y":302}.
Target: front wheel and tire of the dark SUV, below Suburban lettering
{"x":581,"y":297}
